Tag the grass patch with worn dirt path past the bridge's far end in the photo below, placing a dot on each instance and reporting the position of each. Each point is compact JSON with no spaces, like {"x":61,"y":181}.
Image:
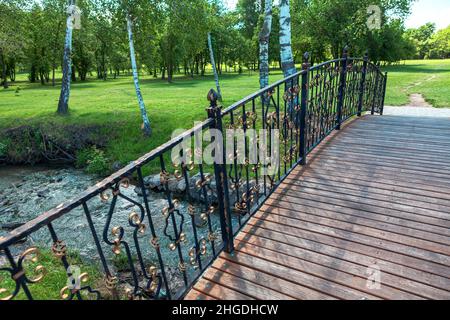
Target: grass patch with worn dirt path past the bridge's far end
{"x":431,"y":78}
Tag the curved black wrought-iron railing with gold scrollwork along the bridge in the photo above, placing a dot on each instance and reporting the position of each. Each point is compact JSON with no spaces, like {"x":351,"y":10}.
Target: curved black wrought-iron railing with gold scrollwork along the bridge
{"x":153,"y":242}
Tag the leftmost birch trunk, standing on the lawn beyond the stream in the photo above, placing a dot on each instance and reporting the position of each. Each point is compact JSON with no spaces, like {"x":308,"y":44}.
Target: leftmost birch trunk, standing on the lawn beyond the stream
{"x":63,"y":105}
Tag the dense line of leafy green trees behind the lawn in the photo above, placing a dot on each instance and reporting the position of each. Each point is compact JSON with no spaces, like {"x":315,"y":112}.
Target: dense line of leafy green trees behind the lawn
{"x":170,"y":36}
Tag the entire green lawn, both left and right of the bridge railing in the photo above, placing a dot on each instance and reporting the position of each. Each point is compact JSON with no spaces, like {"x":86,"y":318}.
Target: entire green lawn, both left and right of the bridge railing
{"x":112,"y":103}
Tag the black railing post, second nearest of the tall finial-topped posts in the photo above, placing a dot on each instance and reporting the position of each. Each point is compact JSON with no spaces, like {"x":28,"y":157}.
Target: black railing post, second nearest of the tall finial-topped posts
{"x":303,"y":107}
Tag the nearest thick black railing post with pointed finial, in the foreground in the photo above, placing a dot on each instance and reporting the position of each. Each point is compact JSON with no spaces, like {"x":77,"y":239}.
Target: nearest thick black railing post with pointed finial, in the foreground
{"x":215,"y":112}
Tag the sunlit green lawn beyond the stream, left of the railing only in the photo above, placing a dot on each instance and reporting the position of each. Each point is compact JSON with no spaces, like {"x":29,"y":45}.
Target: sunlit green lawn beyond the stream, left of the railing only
{"x":113,"y":102}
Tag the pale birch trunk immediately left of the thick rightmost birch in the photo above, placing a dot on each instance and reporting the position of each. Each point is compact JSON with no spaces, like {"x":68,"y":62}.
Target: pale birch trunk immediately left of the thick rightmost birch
{"x":264,"y":38}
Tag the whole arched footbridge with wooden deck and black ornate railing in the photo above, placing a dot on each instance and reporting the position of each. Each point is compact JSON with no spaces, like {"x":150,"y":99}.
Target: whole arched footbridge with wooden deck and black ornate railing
{"x":358,"y":206}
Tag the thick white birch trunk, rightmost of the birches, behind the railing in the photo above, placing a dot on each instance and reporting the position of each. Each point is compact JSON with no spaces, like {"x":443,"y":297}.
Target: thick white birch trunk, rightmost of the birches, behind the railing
{"x":287,"y":60}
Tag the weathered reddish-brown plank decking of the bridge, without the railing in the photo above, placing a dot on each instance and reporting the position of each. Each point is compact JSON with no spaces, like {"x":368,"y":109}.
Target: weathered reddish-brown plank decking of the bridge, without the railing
{"x":377,"y":193}
